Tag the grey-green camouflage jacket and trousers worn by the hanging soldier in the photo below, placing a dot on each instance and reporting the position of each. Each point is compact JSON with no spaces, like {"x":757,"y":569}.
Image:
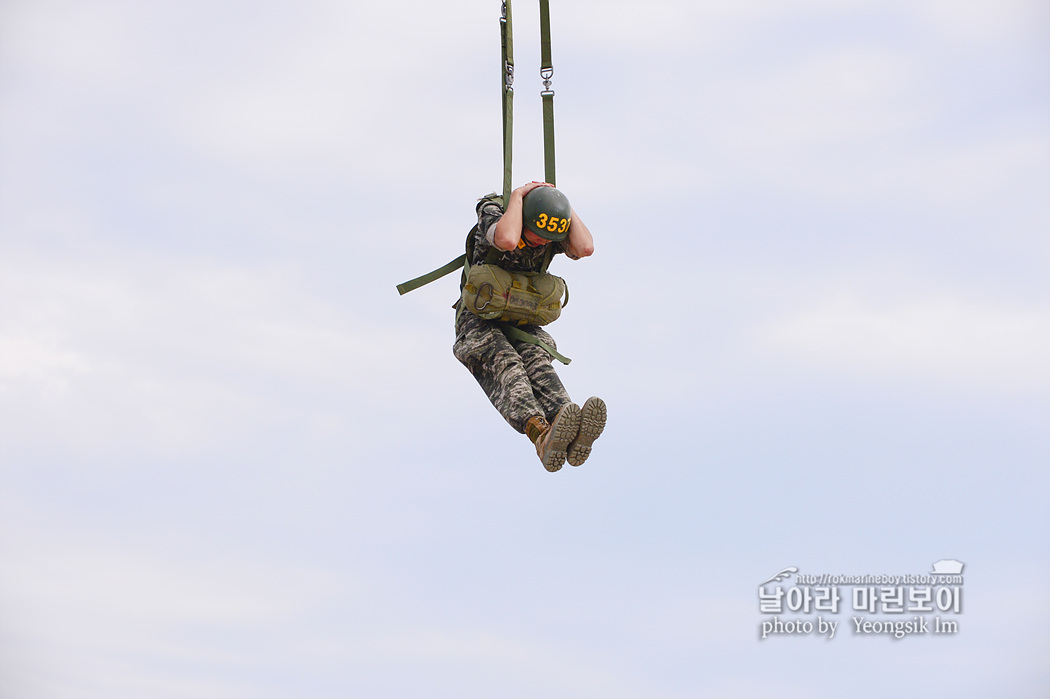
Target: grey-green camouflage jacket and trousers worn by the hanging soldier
{"x":518,"y":377}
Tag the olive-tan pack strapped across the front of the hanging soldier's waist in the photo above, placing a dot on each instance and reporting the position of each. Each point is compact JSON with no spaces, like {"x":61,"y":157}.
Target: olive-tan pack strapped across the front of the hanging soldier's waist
{"x":526,"y":299}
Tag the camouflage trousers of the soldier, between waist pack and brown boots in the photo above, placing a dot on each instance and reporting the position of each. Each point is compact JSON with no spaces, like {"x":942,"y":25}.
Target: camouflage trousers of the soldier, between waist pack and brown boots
{"x":518,"y":377}
